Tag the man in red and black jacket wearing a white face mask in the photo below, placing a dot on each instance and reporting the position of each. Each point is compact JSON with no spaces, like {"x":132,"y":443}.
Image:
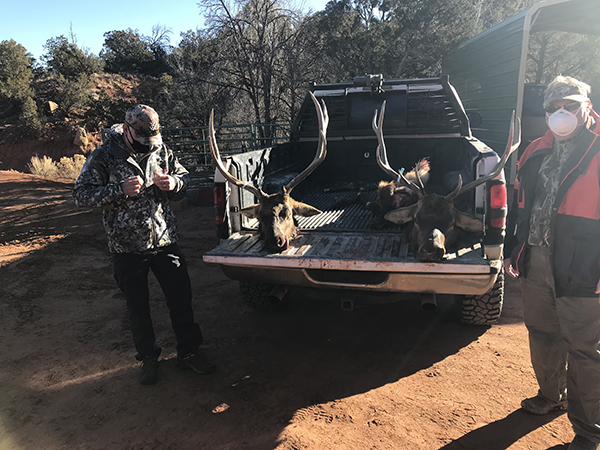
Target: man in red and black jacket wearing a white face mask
{"x":553,"y":240}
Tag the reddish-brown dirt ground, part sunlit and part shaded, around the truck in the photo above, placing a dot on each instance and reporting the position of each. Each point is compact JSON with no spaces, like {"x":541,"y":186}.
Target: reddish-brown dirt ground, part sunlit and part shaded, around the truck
{"x":307,"y":376}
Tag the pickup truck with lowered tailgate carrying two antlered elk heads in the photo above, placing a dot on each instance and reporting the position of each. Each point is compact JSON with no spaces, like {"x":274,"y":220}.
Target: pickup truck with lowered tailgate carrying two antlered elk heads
{"x":340,"y":251}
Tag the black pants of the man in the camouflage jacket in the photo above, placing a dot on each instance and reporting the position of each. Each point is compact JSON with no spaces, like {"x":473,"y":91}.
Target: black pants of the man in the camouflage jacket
{"x":170,"y":269}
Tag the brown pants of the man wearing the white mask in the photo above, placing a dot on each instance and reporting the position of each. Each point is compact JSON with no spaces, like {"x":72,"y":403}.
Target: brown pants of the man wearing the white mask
{"x":564,"y":340}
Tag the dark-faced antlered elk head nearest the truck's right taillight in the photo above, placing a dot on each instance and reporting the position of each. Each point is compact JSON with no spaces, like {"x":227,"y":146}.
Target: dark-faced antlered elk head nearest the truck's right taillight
{"x":436,"y":222}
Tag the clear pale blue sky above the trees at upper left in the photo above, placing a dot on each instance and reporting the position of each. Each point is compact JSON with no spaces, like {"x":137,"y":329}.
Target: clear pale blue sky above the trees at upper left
{"x":32,"y":22}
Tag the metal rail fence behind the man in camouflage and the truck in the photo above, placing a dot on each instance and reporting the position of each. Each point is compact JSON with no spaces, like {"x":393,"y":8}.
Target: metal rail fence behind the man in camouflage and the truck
{"x":190,"y":145}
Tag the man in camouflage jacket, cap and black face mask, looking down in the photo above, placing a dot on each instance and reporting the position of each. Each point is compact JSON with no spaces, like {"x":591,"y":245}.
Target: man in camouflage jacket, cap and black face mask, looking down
{"x":132,"y":176}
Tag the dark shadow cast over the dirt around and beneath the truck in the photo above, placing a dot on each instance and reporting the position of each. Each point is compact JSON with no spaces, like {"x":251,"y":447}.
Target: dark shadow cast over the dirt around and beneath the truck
{"x":69,"y":380}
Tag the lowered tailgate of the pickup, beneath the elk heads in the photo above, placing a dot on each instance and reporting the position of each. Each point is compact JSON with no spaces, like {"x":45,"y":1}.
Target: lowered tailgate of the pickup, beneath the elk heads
{"x":386,"y":252}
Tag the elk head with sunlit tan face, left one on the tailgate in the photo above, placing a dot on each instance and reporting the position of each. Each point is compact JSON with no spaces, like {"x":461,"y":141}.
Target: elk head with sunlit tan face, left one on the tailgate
{"x":275,"y":212}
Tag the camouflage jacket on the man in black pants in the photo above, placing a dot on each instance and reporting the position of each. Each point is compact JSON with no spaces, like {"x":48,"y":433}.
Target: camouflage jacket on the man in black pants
{"x":139,"y":223}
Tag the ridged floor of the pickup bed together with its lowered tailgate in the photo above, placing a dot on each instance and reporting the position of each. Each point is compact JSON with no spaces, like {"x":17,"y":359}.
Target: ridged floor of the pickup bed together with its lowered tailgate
{"x":336,"y":240}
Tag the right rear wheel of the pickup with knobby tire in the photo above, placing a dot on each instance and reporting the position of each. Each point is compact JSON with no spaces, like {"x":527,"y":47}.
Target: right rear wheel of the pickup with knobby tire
{"x":483,"y":309}
